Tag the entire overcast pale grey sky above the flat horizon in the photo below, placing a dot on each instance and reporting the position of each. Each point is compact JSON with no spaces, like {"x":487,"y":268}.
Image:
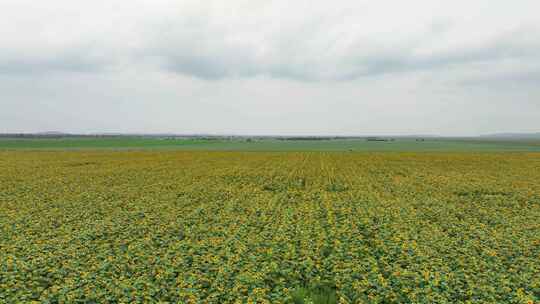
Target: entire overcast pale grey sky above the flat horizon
{"x":356,"y":67}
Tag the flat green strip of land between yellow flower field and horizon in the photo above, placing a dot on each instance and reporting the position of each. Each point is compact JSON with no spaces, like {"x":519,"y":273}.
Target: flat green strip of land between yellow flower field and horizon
{"x":269,"y":145}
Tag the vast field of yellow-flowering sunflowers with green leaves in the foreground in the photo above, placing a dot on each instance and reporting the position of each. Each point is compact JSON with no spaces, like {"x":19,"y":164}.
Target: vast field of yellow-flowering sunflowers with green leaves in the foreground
{"x":219,"y":227}
